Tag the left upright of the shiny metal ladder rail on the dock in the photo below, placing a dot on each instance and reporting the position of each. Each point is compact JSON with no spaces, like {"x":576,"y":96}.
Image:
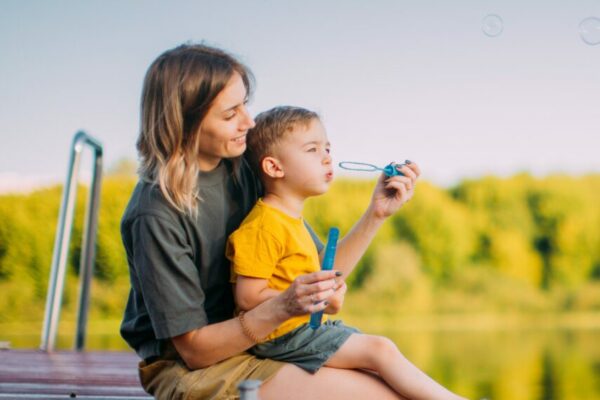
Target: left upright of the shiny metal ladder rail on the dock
{"x":61,"y":243}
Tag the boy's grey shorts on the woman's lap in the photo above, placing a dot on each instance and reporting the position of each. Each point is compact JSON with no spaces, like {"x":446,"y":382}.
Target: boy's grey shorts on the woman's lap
{"x":307,"y":348}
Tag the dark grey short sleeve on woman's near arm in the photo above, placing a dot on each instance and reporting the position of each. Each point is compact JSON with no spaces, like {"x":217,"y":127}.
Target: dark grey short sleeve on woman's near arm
{"x":168,"y":277}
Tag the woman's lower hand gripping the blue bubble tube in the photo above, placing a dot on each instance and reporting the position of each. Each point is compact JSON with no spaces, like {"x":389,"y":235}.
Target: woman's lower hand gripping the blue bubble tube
{"x":308,"y":293}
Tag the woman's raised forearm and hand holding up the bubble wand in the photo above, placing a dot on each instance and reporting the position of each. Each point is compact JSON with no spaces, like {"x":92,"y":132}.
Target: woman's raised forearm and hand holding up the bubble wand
{"x":389,"y":195}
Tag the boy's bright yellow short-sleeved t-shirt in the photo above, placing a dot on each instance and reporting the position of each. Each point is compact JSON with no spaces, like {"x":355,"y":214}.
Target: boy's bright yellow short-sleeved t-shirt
{"x":272,"y":245}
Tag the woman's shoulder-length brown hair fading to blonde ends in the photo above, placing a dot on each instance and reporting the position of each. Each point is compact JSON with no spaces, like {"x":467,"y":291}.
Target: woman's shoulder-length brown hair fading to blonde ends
{"x":179,"y":88}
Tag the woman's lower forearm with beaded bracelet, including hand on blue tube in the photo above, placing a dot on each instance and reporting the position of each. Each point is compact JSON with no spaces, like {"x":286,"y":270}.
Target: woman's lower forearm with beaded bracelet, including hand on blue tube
{"x":212,"y":343}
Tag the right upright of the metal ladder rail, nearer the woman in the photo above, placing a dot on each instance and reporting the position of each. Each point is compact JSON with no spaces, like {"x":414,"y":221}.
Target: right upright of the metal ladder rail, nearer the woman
{"x":88,"y":247}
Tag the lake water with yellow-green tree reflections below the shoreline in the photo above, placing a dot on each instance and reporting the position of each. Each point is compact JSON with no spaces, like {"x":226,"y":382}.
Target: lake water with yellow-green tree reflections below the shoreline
{"x":496,"y":365}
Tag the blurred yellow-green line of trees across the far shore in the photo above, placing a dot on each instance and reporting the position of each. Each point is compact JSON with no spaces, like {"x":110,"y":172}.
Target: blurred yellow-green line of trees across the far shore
{"x":522,"y":237}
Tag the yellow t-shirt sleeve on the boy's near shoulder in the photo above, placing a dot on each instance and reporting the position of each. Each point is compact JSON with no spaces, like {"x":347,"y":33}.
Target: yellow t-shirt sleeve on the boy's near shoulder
{"x":253,"y":252}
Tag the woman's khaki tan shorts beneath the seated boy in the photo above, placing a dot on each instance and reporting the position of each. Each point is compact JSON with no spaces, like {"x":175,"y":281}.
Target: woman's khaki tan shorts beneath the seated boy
{"x":170,"y":379}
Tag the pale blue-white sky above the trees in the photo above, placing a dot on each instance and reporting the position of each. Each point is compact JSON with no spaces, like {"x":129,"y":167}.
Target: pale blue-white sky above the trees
{"x":392,"y":79}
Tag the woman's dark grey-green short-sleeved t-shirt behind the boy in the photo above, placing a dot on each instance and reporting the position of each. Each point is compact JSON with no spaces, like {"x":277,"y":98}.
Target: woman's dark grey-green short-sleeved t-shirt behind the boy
{"x":178,"y":270}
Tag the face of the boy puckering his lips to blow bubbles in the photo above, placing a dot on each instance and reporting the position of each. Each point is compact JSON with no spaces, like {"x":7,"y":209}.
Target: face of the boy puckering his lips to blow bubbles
{"x":304,"y":158}
